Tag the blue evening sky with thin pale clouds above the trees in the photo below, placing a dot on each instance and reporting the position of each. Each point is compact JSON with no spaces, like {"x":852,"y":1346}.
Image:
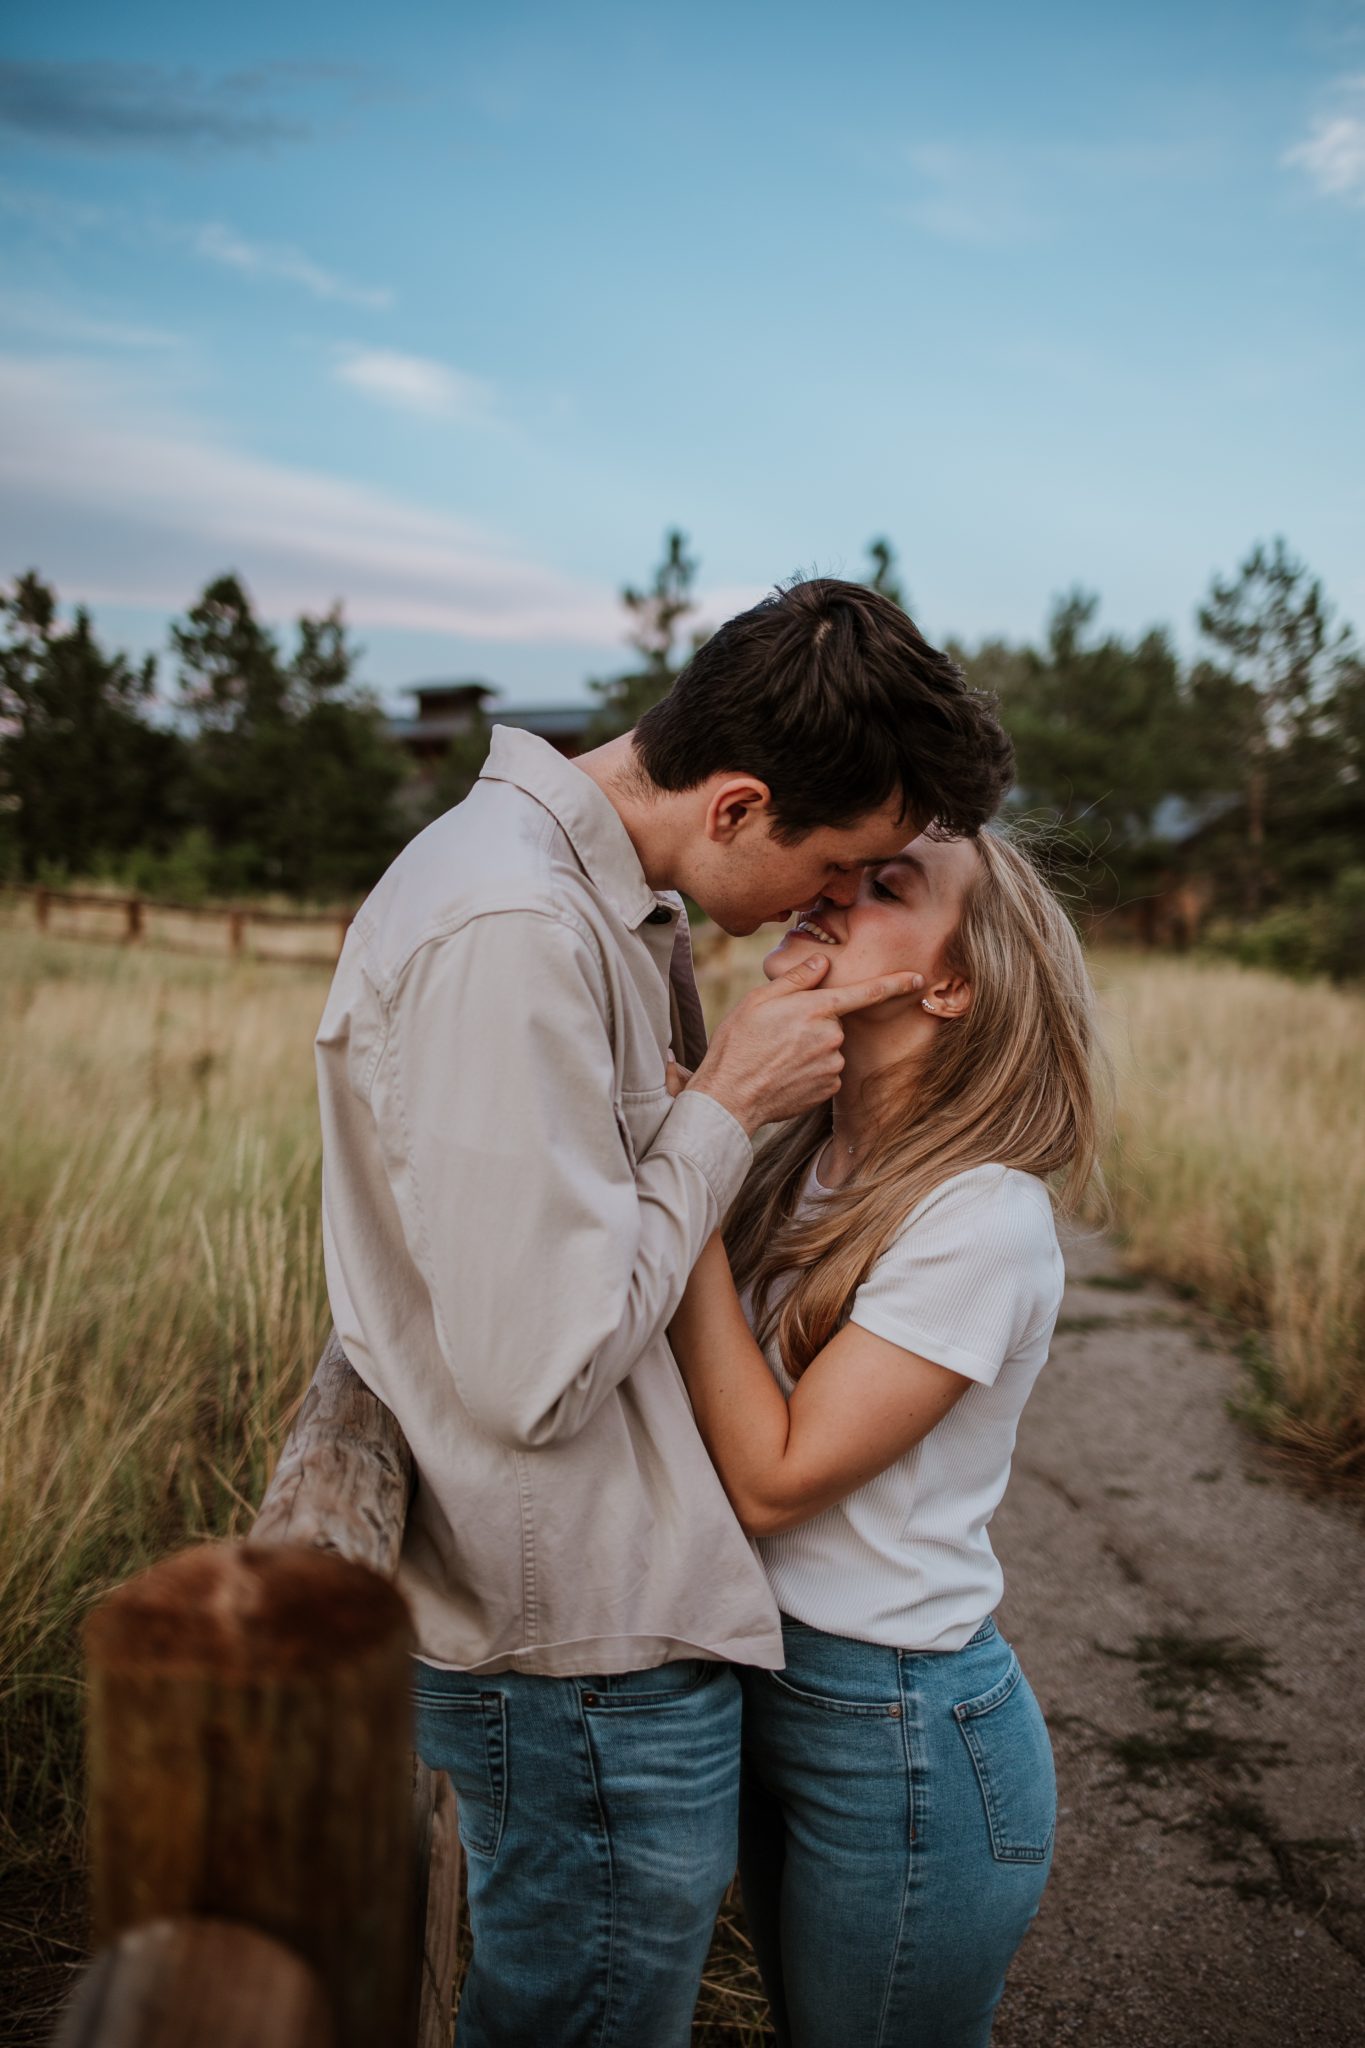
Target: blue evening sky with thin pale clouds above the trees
{"x":455,"y":316}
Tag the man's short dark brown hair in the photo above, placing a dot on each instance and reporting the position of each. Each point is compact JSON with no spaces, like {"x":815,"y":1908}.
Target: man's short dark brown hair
{"x":836,"y":699}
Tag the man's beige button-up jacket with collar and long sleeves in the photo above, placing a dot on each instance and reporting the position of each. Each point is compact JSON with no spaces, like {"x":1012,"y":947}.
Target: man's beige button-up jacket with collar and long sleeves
{"x":511,"y":1211}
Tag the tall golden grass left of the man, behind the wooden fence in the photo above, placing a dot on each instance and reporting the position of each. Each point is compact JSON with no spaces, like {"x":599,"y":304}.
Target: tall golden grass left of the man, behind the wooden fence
{"x":161,"y":1291}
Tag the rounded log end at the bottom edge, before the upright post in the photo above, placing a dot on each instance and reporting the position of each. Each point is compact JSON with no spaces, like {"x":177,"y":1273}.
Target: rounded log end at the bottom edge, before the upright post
{"x":197,"y":1981}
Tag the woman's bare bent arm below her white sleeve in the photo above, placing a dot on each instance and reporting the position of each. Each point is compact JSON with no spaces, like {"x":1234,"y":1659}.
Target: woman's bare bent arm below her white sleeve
{"x":858,"y":1406}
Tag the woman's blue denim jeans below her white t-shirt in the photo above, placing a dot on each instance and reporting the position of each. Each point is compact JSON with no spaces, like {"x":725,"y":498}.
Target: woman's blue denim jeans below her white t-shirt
{"x":897,"y":1822}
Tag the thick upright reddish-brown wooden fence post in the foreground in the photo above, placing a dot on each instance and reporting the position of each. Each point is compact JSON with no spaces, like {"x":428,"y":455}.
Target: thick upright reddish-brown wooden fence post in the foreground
{"x":249,"y":1760}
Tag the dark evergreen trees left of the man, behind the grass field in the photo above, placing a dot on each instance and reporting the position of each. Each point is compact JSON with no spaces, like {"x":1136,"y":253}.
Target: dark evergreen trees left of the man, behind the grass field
{"x":273,"y":773}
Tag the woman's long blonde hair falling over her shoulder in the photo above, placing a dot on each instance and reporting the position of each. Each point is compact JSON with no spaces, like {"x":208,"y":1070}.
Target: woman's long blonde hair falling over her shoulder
{"x":1012,"y":1082}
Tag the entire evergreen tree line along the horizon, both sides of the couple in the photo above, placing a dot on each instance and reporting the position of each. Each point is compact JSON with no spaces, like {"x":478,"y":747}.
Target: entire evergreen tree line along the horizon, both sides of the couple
{"x":1231,"y":783}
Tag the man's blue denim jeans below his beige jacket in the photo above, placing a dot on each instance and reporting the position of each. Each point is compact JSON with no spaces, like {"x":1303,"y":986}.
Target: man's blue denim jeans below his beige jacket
{"x":601,"y":1830}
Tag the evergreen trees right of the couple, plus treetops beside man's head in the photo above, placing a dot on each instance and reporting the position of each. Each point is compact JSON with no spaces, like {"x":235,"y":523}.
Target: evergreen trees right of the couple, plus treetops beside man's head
{"x":1223,"y":794}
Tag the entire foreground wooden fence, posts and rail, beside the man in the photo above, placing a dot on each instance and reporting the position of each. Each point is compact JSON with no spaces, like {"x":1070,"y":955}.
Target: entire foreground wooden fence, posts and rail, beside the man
{"x":271,"y":1867}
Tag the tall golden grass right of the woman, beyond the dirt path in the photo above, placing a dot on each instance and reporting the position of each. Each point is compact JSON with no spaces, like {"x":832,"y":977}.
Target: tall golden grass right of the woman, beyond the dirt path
{"x":1239,"y":1172}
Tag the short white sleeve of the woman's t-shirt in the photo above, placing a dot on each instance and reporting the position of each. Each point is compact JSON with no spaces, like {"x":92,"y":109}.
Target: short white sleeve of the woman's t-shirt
{"x":971,"y":1275}
